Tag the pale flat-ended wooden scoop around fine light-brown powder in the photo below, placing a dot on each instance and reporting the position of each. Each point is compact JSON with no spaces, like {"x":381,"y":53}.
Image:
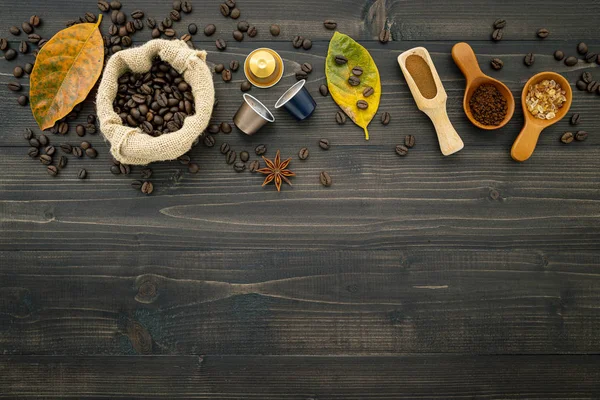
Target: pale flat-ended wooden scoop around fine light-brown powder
{"x":435,"y":107}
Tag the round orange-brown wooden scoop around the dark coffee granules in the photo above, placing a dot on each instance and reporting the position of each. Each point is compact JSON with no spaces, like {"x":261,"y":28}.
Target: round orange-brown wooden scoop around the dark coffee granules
{"x":465,"y":59}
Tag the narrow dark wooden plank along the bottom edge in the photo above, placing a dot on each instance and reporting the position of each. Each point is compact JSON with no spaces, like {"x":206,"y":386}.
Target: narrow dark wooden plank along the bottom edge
{"x":302,"y":378}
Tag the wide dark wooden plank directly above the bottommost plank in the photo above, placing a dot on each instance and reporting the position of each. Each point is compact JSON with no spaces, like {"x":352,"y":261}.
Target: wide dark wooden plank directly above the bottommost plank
{"x":284,"y":302}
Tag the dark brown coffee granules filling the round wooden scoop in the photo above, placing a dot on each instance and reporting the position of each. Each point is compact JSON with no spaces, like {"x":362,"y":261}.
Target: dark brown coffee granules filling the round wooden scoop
{"x":488,"y":105}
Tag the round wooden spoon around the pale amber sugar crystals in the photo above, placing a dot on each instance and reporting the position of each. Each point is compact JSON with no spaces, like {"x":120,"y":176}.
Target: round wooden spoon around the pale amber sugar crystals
{"x":525,"y":143}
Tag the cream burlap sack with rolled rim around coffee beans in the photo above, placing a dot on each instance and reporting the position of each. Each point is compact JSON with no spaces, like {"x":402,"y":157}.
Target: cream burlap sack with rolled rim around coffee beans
{"x":131,"y":145}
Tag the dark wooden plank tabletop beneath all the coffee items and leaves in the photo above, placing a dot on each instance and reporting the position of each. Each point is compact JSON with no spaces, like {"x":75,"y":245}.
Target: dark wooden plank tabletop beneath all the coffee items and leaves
{"x":470,"y":276}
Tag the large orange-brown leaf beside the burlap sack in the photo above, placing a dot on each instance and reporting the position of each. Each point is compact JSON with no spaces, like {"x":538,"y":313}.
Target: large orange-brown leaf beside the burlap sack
{"x":65,"y":71}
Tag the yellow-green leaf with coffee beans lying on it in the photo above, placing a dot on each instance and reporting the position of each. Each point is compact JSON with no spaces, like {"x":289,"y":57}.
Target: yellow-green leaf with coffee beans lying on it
{"x":344,"y":94}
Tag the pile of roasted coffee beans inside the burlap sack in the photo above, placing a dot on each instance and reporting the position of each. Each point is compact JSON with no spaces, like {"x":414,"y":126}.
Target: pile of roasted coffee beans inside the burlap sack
{"x":157,"y":102}
